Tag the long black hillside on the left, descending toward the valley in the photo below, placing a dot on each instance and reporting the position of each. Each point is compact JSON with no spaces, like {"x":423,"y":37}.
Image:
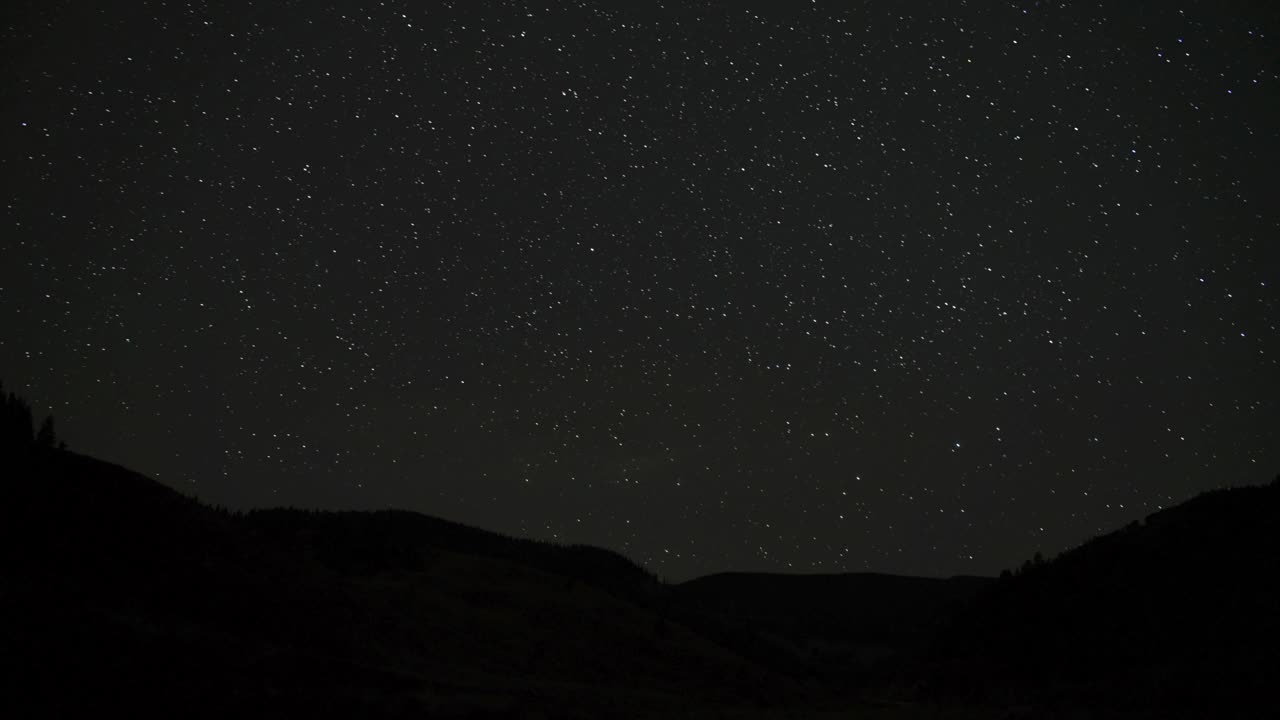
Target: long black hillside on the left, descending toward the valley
{"x":118,"y":593}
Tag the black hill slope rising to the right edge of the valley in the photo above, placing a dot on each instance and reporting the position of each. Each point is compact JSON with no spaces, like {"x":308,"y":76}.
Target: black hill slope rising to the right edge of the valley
{"x":1178,"y":616}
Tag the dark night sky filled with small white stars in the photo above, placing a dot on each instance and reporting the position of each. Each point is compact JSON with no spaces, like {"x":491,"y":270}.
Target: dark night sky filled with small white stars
{"x":912,"y":288}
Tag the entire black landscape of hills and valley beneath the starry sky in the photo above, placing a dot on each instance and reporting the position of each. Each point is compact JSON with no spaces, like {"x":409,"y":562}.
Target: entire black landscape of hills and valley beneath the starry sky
{"x":120,"y":593}
